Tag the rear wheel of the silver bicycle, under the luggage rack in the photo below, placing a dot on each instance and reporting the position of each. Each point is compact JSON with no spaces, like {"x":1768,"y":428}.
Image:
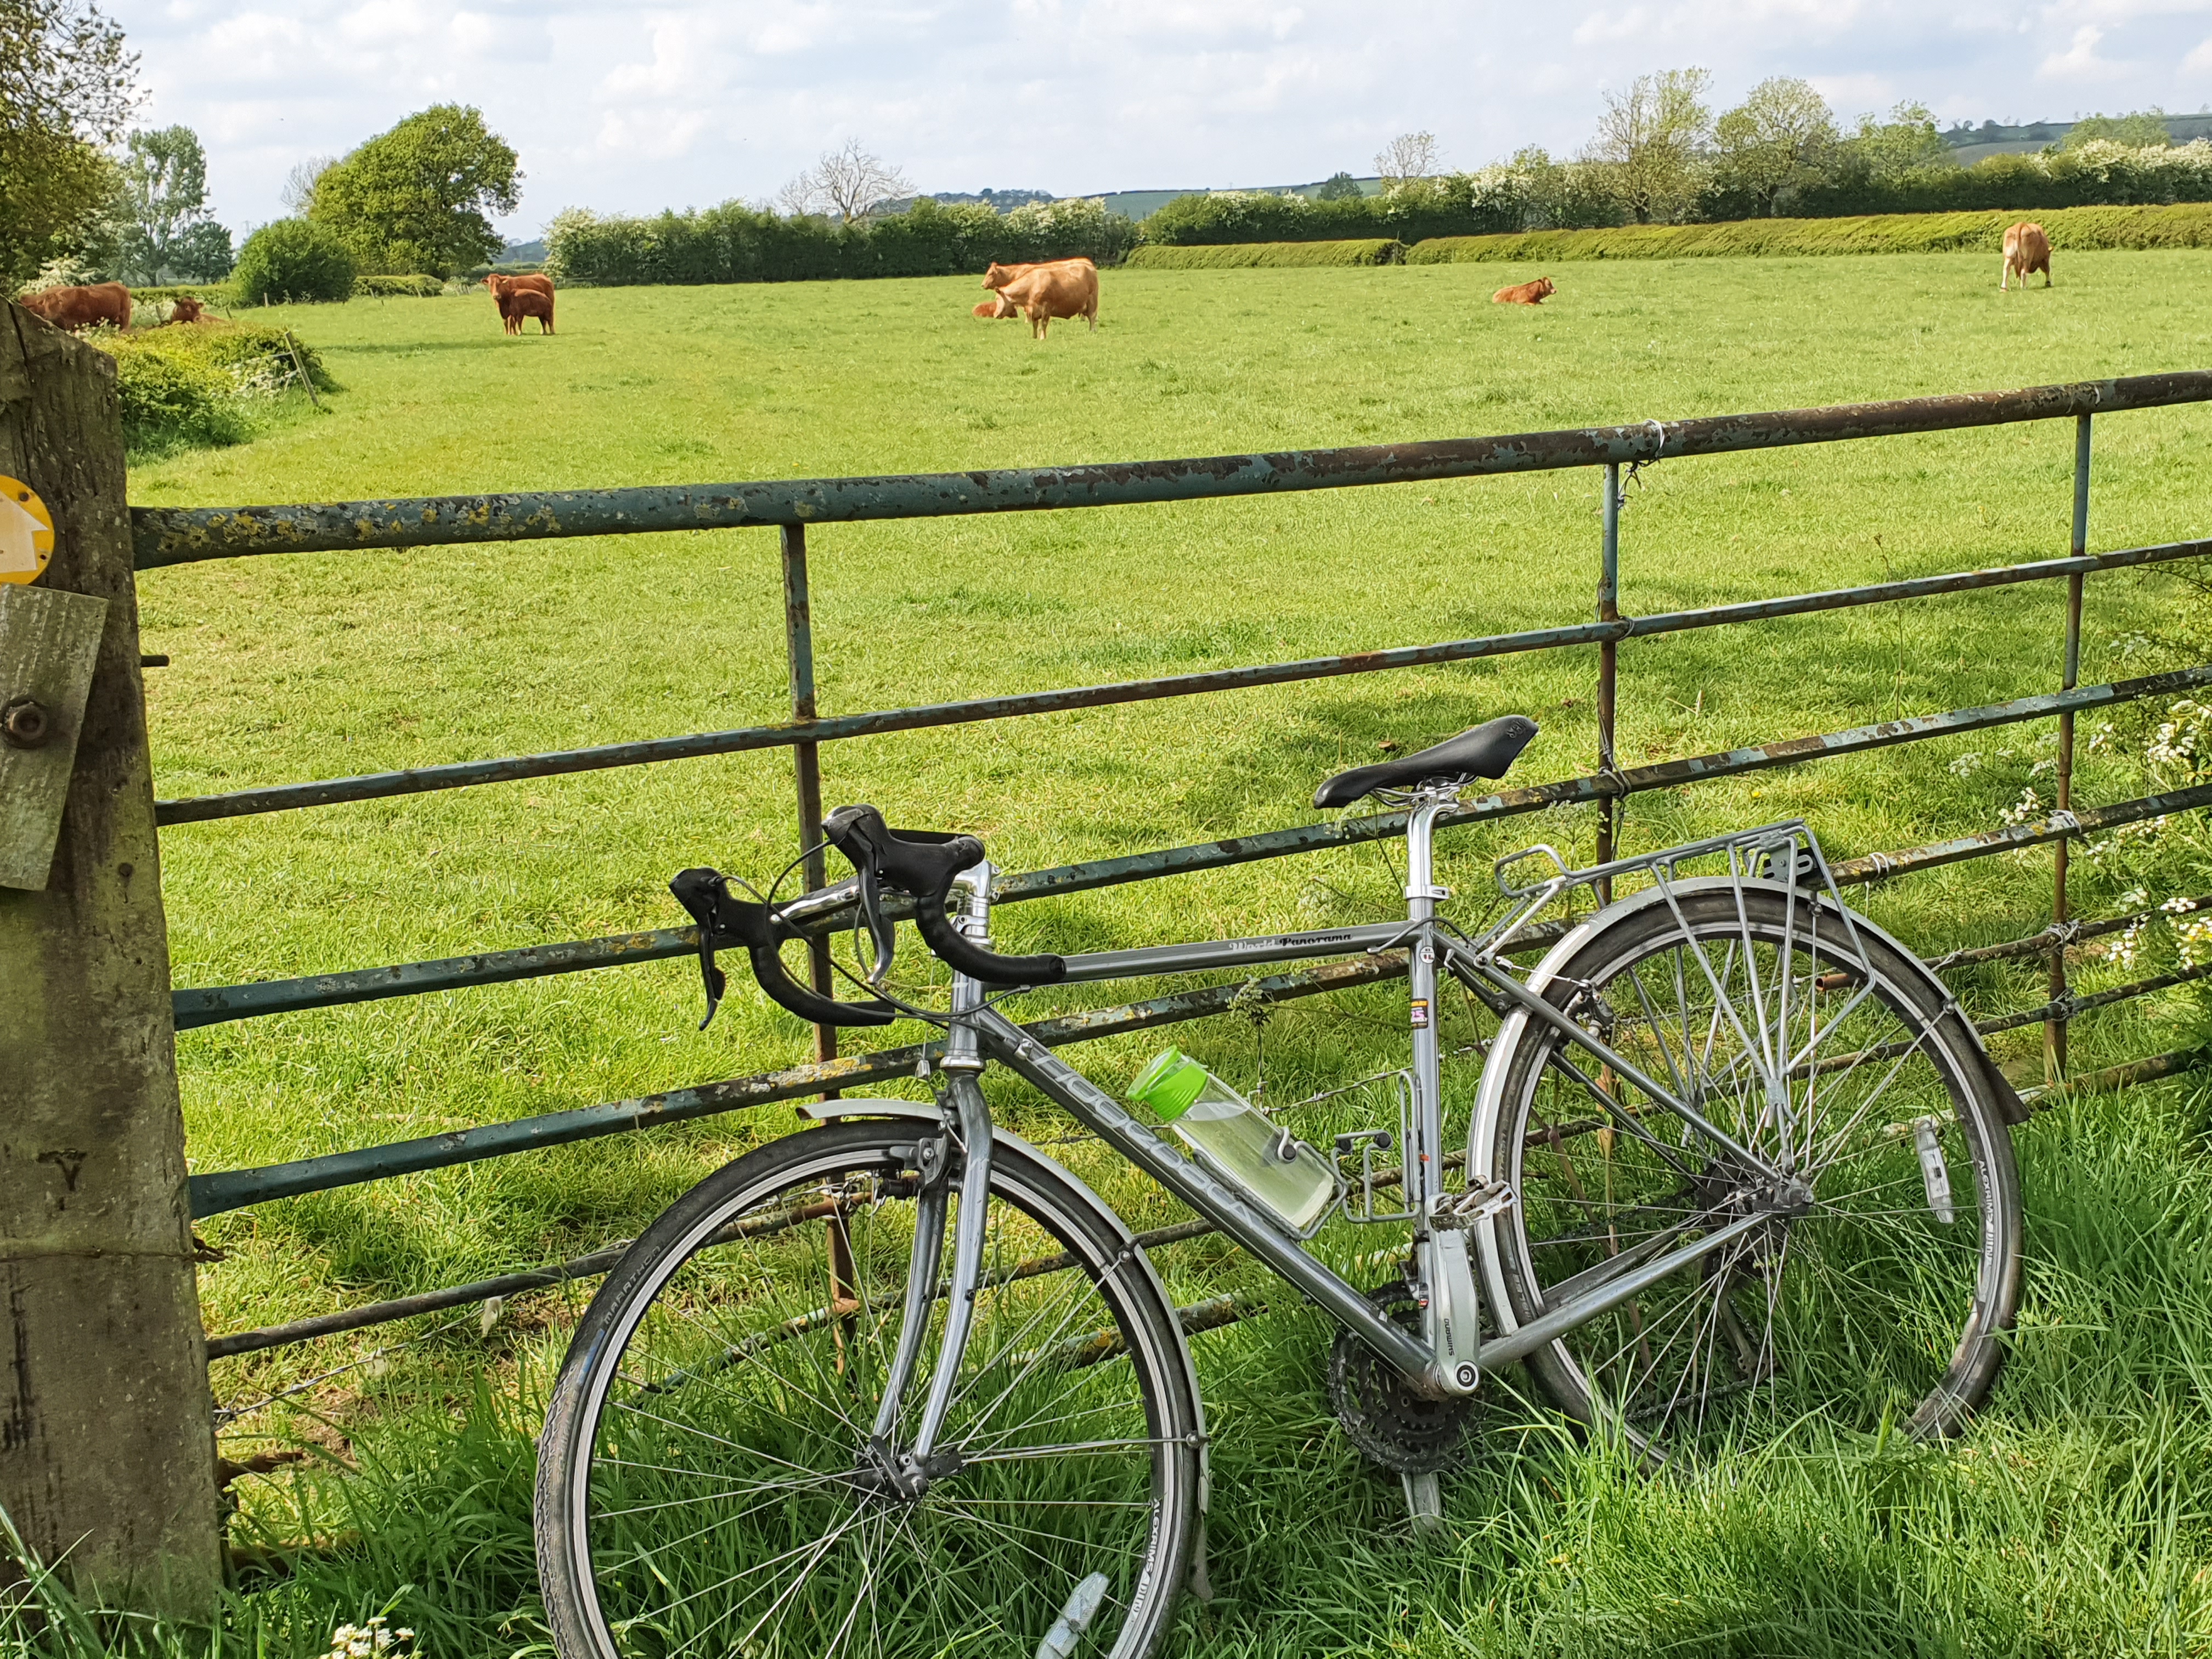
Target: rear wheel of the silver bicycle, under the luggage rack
{"x":1870,"y":1306}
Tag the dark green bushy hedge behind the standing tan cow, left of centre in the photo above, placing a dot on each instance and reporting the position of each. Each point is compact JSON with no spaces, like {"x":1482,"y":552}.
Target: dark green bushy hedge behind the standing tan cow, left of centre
{"x":738,"y":244}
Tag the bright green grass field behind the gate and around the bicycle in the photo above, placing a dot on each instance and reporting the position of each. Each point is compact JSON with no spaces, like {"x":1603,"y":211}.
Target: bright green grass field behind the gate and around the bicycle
{"x":2076,"y":1514}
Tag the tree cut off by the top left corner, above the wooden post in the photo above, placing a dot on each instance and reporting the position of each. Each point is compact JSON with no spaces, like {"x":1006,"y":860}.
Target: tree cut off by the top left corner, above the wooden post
{"x":67,"y":87}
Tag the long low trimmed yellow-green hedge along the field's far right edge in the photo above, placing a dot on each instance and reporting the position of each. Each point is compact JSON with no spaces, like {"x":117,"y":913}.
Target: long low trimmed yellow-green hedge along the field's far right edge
{"x":1899,"y":233}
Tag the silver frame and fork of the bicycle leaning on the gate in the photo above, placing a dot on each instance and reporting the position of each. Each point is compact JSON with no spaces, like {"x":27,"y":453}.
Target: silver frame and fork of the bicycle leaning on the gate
{"x":983,"y":1034}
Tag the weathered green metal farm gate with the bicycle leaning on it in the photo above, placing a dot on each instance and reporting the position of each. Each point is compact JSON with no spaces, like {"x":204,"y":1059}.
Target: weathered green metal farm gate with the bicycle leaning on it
{"x":180,"y":536}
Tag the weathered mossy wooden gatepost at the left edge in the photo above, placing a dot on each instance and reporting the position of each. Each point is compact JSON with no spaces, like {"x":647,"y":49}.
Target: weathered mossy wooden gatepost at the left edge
{"x":107,"y":1441}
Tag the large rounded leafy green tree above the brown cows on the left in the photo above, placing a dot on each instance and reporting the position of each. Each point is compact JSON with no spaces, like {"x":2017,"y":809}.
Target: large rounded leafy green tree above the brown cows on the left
{"x":417,"y":198}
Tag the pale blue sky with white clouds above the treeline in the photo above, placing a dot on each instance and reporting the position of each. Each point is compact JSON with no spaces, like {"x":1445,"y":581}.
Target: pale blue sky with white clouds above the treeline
{"x":645,"y":107}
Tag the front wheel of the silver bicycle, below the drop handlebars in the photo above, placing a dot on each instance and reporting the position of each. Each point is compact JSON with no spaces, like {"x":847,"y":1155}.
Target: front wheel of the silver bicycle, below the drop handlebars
{"x":705,"y":1479}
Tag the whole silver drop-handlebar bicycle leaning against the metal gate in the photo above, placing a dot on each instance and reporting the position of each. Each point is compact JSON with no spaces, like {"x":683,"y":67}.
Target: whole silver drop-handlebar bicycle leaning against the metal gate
{"x":1735,"y":1156}
